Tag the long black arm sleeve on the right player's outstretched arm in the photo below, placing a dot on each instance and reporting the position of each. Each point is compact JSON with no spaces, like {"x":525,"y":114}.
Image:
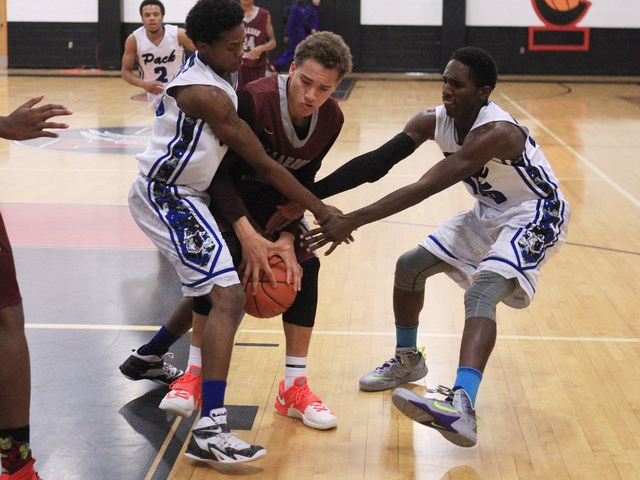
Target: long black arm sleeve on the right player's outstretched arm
{"x":369,"y":167}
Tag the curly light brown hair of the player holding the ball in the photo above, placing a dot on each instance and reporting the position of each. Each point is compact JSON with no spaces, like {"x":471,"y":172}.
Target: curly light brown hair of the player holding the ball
{"x":328,"y":49}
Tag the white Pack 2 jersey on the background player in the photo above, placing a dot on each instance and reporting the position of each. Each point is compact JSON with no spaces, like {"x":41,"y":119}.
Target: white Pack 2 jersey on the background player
{"x":159,"y":62}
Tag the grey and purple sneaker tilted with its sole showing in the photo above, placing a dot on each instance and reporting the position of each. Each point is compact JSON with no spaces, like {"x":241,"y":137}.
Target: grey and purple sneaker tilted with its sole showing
{"x":454,"y":417}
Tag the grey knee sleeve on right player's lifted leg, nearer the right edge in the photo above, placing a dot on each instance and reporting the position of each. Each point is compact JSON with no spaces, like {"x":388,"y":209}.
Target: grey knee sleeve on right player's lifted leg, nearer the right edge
{"x":481,"y":298}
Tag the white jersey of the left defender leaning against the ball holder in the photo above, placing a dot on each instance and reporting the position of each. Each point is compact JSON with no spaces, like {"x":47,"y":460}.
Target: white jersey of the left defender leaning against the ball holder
{"x":183,"y":151}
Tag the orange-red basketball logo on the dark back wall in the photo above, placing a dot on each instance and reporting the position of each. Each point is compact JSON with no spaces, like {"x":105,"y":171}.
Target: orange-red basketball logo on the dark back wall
{"x":560,"y":32}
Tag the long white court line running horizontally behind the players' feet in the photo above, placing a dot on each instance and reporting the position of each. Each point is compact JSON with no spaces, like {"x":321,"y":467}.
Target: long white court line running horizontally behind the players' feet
{"x":80,"y":326}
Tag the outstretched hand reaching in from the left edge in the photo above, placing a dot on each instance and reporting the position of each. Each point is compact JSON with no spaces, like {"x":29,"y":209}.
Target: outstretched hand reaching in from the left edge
{"x":26,"y":122}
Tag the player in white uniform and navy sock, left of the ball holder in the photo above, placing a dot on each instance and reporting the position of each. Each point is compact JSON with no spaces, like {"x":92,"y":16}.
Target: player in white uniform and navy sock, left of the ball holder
{"x":196,"y":122}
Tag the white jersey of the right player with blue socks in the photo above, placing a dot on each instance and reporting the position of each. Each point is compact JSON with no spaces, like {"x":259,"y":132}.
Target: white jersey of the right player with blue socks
{"x":501,"y":183}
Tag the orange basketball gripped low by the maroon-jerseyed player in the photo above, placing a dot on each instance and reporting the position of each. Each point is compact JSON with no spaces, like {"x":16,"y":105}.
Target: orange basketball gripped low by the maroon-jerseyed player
{"x":269,"y":301}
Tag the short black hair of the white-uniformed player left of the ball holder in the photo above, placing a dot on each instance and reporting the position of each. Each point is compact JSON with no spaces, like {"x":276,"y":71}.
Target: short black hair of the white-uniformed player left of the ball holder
{"x":210,"y":18}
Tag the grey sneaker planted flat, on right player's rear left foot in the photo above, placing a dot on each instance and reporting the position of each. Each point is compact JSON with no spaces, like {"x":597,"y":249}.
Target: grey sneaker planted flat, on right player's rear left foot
{"x":407,"y":366}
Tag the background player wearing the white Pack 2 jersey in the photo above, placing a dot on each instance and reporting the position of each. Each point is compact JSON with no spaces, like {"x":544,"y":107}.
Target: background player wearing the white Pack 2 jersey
{"x":159,"y":50}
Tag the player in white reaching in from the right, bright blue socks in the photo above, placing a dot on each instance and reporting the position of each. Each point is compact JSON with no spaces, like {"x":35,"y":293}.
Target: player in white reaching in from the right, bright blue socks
{"x":494,"y":250}
